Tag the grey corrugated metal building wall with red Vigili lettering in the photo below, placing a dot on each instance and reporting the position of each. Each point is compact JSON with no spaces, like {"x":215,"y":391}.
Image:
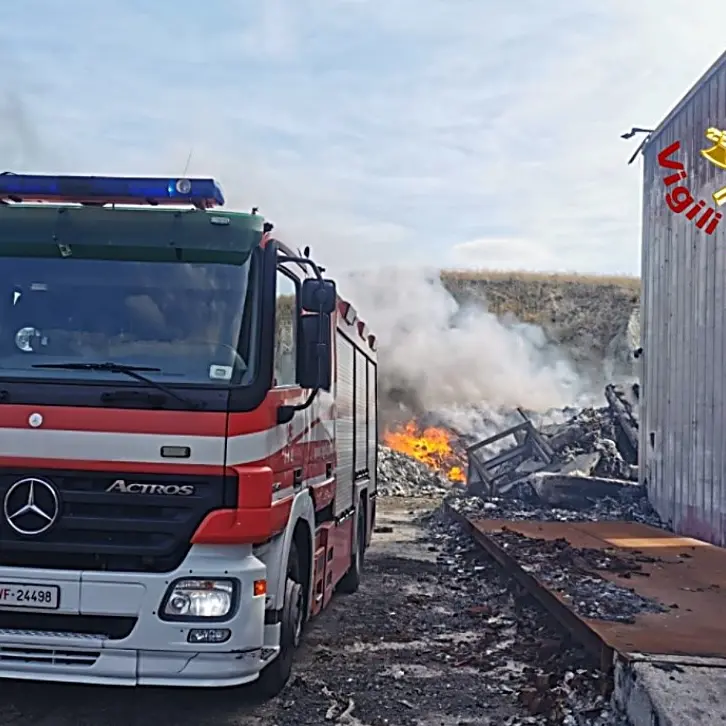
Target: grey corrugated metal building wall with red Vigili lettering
{"x":683,"y":414}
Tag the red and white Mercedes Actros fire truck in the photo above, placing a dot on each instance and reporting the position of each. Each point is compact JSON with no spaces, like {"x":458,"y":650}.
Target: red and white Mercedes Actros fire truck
{"x":187,"y":436}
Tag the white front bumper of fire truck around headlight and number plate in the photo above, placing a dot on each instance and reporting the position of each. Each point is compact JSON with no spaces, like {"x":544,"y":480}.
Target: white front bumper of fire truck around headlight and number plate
{"x":154,"y":652}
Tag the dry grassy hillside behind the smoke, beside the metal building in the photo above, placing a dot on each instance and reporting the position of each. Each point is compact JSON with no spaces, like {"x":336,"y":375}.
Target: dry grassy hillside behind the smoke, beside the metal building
{"x":591,"y":315}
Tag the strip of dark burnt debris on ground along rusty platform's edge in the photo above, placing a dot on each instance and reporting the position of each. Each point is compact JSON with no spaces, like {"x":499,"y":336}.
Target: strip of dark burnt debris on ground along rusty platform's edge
{"x":549,"y":676}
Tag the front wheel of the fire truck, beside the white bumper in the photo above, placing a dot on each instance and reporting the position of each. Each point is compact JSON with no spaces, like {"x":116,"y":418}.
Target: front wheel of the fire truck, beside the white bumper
{"x":275,"y":675}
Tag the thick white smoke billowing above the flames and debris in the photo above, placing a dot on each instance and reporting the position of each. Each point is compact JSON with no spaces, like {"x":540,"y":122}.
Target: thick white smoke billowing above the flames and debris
{"x":465,"y":364}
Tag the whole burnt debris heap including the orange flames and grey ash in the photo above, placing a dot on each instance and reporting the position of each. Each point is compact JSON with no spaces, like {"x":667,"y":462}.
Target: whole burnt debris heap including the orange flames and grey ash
{"x":584,"y":468}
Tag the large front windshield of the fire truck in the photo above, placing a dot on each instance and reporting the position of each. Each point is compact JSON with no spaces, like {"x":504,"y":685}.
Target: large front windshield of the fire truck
{"x":189,"y":320}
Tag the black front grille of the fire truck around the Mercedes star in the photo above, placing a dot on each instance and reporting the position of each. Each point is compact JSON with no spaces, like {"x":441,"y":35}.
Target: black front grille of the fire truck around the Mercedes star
{"x":123,"y":532}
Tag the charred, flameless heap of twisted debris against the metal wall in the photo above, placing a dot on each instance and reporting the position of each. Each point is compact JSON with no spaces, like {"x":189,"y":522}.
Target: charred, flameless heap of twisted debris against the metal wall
{"x":584,"y":469}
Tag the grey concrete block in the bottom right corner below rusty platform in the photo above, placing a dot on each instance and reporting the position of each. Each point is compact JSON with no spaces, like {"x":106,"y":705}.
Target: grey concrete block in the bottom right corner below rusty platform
{"x":665,"y":693}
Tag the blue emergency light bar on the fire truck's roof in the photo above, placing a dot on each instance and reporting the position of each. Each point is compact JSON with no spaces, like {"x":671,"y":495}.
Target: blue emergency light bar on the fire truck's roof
{"x":202,"y":193}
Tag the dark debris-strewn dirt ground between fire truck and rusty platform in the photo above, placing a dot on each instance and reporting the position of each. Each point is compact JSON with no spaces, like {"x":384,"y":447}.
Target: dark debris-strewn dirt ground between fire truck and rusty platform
{"x":433,"y":638}
